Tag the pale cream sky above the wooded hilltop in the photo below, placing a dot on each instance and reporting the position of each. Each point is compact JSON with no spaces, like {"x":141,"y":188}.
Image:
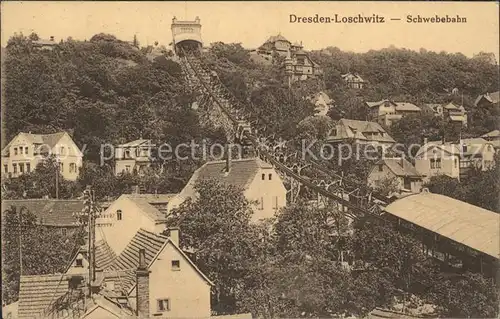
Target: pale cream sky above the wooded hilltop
{"x":251,"y":23}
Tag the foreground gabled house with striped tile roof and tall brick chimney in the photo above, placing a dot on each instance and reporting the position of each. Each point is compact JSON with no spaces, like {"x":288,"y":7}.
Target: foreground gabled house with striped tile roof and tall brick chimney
{"x":171,"y":285}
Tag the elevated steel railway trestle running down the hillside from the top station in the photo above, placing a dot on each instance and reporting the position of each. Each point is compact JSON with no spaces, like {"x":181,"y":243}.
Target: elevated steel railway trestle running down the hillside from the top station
{"x":240,"y":123}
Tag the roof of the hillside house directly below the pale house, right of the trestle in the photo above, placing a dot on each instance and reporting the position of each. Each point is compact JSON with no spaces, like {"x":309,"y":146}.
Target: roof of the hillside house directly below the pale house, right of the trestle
{"x":347,"y":129}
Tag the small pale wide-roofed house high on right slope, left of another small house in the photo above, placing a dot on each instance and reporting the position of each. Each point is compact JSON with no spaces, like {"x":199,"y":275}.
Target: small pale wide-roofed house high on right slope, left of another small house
{"x":387,"y":112}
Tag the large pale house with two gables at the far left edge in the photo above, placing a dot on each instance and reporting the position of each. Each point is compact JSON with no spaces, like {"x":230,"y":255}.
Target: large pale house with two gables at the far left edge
{"x":23,"y":153}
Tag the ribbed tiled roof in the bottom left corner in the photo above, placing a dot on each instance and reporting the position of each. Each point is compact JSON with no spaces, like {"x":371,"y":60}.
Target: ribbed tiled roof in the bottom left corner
{"x":36,"y":293}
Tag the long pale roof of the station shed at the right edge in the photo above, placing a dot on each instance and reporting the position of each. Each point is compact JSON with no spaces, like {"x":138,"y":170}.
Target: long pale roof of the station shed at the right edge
{"x":461,"y":222}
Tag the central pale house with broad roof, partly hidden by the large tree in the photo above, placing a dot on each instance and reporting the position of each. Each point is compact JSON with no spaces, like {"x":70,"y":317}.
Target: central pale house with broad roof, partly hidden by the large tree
{"x":258,"y":180}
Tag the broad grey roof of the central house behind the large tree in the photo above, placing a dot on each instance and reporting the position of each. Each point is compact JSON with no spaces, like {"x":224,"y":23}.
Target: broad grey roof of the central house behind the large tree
{"x":241,"y":174}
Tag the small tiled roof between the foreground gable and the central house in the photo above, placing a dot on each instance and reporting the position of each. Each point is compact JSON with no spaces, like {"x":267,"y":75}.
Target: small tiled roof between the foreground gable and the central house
{"x":154,"y":205}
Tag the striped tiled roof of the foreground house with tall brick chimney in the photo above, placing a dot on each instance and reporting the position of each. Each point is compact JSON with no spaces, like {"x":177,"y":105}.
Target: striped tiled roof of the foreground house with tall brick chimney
{"x":127,"y":262}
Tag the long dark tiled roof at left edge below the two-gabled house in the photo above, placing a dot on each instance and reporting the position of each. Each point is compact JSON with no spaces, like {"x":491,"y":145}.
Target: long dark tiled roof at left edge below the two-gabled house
{"x":49,"y":212}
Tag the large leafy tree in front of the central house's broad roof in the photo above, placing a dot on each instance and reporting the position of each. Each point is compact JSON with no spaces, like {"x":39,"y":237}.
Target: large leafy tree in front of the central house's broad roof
{"x":216,"y":226}
